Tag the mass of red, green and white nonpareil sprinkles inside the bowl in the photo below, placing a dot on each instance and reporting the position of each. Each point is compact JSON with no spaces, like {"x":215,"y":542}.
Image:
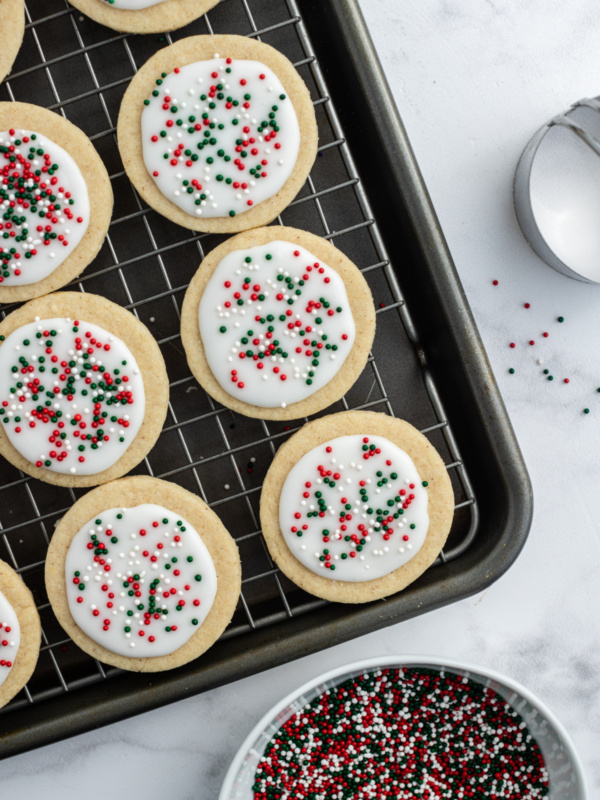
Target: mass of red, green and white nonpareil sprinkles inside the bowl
{"x":403,"y":734}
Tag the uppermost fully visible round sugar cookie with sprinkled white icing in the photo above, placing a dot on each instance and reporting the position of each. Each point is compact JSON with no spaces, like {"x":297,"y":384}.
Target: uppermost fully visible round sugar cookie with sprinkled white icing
{"x":218,"y":133}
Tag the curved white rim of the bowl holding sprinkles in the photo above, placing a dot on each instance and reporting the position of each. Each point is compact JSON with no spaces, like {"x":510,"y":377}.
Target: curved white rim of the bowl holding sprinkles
{"x":397,"y":661}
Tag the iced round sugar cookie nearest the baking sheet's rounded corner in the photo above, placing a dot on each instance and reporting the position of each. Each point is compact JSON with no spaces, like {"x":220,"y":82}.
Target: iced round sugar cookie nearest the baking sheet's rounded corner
{"x":356,"y":506}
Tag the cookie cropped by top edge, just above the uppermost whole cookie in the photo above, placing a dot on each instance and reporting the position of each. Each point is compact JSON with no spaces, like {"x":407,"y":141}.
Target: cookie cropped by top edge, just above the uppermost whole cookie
{"x":144,"y":16}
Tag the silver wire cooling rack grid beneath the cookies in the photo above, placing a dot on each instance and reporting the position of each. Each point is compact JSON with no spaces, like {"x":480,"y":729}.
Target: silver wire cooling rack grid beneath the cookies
{"x":79,"y":69}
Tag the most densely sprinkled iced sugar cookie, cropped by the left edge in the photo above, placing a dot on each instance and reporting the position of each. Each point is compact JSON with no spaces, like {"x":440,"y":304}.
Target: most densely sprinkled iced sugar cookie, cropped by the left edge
{"x":63,"y":201}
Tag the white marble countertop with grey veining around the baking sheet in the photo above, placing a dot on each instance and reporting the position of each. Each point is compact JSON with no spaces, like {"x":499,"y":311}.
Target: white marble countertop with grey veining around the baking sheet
{"x":473,"y":80}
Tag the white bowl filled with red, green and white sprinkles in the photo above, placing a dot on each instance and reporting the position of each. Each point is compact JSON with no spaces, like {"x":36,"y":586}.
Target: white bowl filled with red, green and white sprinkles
{"x":532,"y":731}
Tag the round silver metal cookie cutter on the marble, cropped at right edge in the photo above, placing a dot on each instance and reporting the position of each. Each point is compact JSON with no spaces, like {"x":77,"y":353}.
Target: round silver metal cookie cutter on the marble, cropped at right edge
{"x":557,"y":192}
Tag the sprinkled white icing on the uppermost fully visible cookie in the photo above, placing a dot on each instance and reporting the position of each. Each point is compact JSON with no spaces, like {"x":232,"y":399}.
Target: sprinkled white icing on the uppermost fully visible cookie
{"x":219,"y":136}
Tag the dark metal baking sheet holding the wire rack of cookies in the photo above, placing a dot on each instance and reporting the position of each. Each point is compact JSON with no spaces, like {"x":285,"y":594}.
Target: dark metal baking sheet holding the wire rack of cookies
{"x":428,"y":365}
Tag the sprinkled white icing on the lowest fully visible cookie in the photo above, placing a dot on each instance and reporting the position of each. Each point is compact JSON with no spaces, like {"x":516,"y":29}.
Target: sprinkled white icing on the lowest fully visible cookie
{"x":140,"y":581}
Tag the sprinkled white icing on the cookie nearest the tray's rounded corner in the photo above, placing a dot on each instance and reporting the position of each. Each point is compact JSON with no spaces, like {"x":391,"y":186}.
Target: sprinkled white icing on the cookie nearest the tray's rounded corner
{"x":354,"y":509}
